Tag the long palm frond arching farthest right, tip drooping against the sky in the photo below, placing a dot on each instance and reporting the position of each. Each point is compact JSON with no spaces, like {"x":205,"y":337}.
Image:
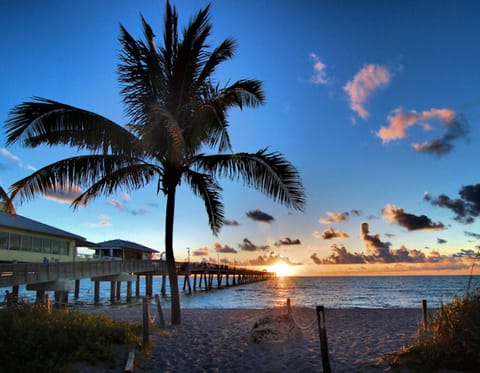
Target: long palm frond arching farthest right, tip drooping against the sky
{"x":270,"y":173}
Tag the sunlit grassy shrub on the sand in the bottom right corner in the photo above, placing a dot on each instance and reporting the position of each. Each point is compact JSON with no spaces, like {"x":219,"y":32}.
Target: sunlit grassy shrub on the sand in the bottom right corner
{"x":452,"y":339}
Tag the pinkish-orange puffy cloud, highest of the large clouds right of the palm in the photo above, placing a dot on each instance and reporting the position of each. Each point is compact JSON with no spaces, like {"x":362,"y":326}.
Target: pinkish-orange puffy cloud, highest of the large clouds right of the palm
{"x":367,"y":80}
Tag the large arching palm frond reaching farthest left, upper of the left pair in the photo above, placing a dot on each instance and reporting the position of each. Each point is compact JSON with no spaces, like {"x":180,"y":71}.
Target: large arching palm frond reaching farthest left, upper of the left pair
{"x":49,"y":122}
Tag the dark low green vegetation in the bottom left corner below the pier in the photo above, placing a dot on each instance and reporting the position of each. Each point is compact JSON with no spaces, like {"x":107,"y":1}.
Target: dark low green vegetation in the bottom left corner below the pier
{"x":32,"y":339}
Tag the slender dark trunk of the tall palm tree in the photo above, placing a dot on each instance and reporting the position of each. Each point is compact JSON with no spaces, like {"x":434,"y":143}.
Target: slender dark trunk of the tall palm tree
{"x":171,"y":267}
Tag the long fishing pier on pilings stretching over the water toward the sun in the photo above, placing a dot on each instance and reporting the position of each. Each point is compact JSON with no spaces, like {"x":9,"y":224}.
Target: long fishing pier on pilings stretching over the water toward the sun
{"x":58,"y":276}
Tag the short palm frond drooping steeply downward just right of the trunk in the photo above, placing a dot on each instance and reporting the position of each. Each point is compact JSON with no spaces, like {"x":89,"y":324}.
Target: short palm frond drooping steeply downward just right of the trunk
{"x":206,"y":187}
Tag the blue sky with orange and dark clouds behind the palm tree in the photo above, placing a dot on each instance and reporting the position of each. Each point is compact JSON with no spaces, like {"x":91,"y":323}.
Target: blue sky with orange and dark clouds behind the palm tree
{"x":375,"y":102}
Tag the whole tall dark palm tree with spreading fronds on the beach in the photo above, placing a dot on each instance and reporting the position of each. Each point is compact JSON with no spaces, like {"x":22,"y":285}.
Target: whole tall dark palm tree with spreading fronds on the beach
{"x":177,"y":113}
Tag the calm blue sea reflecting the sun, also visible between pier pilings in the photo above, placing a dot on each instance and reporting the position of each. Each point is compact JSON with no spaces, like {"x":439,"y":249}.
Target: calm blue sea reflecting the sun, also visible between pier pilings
{"x":331,"y":292}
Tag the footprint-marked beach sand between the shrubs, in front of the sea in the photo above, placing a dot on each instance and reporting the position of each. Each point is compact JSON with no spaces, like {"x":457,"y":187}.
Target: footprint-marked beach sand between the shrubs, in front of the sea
{"x":219,"y":340}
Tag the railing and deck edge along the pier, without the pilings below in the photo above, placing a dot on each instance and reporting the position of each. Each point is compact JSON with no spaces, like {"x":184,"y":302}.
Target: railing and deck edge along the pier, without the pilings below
{"x":12,"y":274}
